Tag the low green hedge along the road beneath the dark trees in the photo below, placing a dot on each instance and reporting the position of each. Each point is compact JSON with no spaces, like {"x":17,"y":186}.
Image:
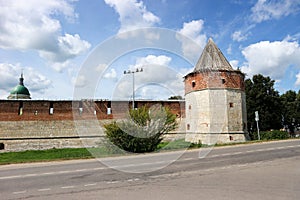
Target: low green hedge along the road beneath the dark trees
{"x":270,"y":135}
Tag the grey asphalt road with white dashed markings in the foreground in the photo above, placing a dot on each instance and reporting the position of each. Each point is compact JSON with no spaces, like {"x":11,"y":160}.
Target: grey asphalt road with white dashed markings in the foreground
{"x":257,"y":171}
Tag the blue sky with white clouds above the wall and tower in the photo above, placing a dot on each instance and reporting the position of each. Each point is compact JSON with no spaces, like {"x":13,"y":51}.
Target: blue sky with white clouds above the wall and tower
{"x":74,"y":49}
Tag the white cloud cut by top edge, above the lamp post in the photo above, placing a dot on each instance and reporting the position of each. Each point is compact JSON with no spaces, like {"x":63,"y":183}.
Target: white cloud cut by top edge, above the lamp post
{"x":133,"y":14}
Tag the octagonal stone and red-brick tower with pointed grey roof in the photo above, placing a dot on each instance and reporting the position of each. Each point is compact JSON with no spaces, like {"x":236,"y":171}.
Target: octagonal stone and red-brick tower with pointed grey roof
{"x":215,"y":100}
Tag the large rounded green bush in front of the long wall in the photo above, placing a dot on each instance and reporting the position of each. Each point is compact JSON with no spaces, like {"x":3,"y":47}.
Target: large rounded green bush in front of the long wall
{"x":142,"y":131}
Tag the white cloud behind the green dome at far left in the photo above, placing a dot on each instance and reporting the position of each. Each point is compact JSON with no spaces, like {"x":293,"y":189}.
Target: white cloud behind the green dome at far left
{"x":34,"y":81}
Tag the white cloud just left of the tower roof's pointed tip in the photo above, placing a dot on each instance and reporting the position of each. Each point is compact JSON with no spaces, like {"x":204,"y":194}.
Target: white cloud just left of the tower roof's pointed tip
{"x":193,"y":46}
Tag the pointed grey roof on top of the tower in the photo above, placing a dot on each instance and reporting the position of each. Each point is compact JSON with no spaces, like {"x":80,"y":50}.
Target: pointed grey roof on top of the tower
{"x":212,"y":59}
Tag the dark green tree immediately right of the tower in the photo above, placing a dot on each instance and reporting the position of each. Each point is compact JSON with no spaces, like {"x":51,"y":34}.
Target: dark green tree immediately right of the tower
{"x":262,"y":97}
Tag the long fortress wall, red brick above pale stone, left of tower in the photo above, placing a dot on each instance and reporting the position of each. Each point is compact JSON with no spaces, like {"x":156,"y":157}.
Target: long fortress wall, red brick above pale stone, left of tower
{"x":43,"y":124}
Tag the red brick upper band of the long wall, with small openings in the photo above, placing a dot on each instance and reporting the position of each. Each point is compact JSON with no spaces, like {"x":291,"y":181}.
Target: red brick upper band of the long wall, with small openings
{"x":35,"y":110}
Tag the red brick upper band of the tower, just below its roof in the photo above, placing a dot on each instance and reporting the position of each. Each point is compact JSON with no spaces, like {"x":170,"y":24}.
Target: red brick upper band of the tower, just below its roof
{"x":214,"y":79}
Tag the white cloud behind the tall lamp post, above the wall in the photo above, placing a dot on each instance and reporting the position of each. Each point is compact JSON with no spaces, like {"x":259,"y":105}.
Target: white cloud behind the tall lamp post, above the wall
{"x":157,"y":81}
